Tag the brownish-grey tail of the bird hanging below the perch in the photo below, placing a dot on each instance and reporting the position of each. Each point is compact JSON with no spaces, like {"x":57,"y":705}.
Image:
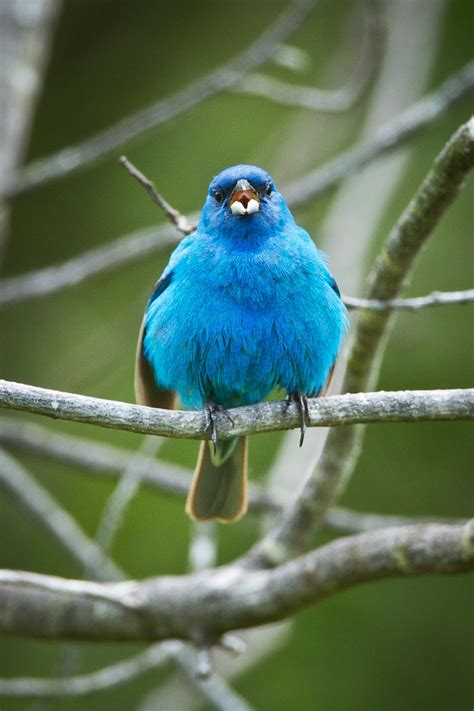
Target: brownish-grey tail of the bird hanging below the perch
{"x":219,"y":486}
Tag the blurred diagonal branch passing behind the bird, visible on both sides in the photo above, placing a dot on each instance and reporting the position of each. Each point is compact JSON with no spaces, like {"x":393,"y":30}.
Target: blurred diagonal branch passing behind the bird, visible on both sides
{"x":137,"y":245}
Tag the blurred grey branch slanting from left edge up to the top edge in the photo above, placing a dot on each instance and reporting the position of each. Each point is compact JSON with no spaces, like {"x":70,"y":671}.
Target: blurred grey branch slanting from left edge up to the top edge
{"x":103,"y":143}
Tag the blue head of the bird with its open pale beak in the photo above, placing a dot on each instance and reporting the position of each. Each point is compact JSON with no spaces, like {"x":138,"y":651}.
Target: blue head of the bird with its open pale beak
{"x":243,"y":200}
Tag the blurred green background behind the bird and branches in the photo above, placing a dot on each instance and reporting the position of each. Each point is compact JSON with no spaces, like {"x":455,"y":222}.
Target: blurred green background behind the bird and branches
{"x":385,"y":646}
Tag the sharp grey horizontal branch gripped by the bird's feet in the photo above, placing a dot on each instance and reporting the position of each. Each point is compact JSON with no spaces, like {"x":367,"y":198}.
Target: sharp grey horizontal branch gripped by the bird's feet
{"x":403,"y":406}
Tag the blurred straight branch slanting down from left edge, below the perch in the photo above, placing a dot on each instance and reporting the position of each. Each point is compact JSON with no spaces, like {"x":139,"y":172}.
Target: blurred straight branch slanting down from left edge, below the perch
{"x":37,"y":501}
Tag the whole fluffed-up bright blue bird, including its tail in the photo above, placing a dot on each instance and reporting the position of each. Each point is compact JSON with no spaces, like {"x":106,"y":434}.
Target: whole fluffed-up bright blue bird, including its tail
{"x":246,"y":304}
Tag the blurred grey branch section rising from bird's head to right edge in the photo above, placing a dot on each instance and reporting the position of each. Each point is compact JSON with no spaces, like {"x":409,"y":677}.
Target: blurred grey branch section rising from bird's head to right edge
{"x":389,"y":136}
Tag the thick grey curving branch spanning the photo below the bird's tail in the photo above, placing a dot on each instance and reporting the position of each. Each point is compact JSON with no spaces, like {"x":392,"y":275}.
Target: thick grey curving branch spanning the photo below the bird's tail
{"x":226,"y":598}
